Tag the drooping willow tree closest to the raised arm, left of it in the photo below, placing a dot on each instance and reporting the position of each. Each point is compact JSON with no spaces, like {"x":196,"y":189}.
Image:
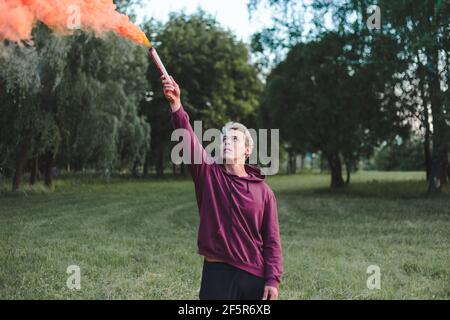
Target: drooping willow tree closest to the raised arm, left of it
{"x":105,"y":81}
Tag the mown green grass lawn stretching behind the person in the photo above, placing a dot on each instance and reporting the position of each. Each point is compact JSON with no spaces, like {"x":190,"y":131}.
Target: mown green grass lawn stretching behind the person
{"x":137,"y":239}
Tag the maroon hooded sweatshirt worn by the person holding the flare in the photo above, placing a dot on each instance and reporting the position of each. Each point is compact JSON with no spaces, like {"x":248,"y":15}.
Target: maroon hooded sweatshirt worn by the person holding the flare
{"x":238,"y":215}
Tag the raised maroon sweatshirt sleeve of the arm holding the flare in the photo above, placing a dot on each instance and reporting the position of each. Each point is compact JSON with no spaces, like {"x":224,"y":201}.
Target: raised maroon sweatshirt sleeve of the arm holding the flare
{"x":198,"y":158}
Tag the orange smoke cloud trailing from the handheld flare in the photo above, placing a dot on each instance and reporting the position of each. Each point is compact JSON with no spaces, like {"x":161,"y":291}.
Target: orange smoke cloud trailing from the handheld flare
{"x":17,"y":18}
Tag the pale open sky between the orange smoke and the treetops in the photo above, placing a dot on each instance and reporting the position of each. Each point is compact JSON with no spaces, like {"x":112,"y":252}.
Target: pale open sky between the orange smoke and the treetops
{"x":231,"y":14}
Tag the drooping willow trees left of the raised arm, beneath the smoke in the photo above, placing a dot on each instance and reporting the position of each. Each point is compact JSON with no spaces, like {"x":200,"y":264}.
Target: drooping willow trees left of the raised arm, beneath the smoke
{"x":72,"y":101}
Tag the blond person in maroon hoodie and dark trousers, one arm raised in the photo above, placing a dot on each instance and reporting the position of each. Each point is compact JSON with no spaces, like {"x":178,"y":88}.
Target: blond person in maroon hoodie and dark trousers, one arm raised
{"x":238,"y":233}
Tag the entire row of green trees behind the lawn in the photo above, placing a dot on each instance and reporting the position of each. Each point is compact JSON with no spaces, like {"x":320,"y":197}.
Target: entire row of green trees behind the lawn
{"x":82,"y":102}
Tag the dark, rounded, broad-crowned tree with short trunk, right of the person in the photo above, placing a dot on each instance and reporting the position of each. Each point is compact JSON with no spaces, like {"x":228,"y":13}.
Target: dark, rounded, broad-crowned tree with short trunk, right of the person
{"x":325,"y":96}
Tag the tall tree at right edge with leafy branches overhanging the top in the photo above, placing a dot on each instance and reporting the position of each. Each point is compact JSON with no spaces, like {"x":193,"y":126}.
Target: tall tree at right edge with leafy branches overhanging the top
{"x":421,"y":30}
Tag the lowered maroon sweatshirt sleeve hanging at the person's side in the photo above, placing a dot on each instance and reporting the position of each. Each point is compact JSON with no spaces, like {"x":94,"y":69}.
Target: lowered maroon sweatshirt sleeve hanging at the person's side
{"x":273,"y":260}
